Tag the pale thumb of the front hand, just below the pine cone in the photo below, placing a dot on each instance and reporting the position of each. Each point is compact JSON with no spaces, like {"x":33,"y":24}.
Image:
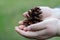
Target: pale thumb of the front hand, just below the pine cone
{"x":37,"y":26}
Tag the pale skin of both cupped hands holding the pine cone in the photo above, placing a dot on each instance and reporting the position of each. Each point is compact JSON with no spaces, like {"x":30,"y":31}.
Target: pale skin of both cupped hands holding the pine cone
{"x":49,"y":27}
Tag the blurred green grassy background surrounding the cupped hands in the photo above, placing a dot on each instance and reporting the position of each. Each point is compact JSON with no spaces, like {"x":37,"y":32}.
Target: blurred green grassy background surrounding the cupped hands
{"x":11,"y":12}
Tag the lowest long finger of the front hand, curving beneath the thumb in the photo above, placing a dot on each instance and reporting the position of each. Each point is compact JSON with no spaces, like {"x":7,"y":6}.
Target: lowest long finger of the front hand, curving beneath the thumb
{"x":29,"y":33}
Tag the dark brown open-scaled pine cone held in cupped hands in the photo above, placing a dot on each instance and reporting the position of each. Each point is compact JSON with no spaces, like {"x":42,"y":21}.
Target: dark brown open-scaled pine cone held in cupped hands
{"x":35,"y":16}
